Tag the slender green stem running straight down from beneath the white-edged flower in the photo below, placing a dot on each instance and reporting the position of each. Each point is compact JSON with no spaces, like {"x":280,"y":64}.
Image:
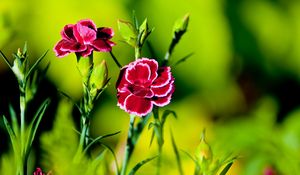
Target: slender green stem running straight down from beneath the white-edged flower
{"x":129,"y":145}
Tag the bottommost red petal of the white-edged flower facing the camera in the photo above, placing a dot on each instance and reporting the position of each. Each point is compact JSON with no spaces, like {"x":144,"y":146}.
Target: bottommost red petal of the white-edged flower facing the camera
{"x":137,"y":105}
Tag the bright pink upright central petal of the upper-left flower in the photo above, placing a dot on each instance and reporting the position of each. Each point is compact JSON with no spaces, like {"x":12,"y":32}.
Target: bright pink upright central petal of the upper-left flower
{"x":84,"y":34}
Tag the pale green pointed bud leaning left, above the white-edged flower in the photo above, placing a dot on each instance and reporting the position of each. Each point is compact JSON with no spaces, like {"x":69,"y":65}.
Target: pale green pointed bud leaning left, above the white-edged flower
{"x":128,"y":32}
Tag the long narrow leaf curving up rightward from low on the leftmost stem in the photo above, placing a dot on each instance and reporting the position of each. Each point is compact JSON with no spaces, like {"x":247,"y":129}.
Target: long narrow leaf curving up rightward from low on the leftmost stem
{"x":35,"y":122}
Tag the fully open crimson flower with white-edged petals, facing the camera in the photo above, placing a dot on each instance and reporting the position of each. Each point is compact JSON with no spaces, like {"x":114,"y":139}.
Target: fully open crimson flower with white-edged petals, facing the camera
{"x":142,"y":84}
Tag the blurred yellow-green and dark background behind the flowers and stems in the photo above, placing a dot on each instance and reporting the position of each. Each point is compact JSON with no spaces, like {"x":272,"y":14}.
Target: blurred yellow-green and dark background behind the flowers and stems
{"x":242,"y":83}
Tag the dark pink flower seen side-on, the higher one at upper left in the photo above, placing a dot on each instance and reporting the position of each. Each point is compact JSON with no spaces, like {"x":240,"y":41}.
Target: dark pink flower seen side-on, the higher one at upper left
{"x":83,"y":38}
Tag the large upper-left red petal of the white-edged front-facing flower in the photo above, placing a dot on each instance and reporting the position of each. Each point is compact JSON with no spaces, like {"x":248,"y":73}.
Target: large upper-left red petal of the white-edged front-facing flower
{"x":138,"y":74}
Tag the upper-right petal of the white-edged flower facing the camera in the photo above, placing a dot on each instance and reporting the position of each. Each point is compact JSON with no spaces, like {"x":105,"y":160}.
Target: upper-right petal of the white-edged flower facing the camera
{"x":163,"y":78}
